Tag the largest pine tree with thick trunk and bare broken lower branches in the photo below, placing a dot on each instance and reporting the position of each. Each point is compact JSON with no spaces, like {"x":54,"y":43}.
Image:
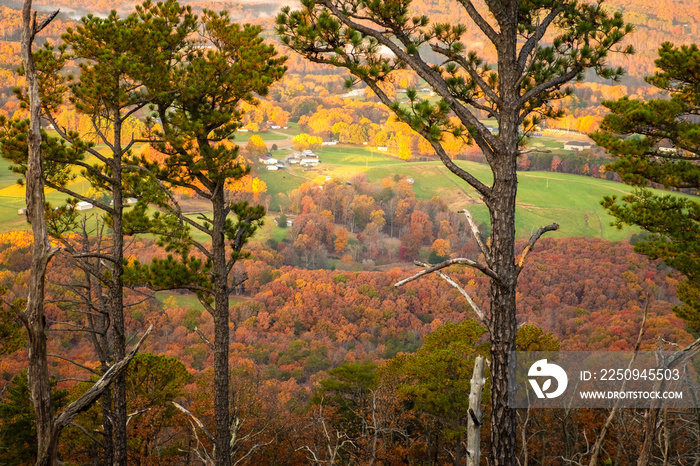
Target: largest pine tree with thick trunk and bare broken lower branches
{"x":372,"y":39}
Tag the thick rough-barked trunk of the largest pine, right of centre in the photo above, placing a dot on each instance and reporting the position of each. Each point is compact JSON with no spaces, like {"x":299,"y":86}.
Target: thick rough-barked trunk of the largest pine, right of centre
{"x":501,"y":204}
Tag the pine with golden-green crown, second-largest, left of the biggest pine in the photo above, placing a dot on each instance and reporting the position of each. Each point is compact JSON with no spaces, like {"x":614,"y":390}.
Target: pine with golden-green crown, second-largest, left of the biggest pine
{"x":198,"y":108}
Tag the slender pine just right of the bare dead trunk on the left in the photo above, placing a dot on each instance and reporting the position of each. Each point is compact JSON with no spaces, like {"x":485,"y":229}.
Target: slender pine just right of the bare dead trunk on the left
{"x":116,"y":57}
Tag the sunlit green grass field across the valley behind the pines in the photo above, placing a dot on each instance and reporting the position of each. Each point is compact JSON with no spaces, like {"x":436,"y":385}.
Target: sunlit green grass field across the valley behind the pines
{"x":543,"y":197}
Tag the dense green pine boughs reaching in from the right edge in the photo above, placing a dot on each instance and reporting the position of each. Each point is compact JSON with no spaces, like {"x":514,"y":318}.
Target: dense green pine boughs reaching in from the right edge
{"x":658,"y":143}
